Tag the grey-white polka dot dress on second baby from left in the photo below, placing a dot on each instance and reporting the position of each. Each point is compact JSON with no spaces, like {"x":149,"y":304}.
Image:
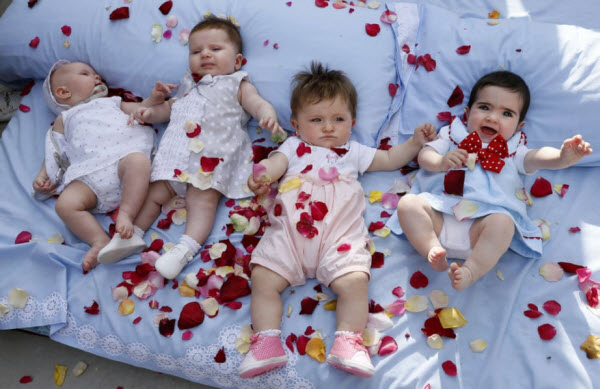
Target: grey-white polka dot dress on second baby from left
{"x":206,"y":143}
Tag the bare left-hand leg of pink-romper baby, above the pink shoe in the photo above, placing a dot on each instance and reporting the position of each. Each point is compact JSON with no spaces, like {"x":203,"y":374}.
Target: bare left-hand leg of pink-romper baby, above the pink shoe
{"x":265,"y":305}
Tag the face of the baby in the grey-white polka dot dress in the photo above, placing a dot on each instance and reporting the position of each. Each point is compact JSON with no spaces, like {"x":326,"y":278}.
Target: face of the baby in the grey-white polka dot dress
{"x":212,"y":52}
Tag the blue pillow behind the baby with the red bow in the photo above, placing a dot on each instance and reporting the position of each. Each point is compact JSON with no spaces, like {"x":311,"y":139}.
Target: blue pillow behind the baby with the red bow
{"x":560,"y":64}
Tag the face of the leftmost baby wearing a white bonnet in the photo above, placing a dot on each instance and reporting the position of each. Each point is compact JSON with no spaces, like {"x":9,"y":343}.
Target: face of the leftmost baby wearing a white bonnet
{"x":74,"y":82}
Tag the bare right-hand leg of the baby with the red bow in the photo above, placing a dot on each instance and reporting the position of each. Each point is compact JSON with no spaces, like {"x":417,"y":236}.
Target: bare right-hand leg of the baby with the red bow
{"x":490,"y":238}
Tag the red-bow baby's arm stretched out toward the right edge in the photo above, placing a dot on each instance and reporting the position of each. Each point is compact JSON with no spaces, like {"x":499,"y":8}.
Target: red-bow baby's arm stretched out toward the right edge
{"x":571,"y":151}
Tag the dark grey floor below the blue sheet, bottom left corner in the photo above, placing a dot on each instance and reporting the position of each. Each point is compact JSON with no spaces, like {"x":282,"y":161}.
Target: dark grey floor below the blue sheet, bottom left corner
{"x":27,"y":354}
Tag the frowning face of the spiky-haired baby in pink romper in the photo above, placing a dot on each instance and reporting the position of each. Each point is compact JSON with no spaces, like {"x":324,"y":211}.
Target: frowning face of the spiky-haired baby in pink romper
{"x":327,"y":123}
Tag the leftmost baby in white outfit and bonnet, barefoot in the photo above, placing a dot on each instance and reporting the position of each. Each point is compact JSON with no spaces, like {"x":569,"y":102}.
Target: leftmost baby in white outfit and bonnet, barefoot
{"x":108,"y":157}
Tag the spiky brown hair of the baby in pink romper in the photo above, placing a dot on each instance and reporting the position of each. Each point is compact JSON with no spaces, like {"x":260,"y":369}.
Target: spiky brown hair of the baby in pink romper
{"x":319,"y":84}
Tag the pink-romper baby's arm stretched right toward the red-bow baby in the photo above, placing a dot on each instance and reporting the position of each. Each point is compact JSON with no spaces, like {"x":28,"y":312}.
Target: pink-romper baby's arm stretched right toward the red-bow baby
{"x":402,"y":154}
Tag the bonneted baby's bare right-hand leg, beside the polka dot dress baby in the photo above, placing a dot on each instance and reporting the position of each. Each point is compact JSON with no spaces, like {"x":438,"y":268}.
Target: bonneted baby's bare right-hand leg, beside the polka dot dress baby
{"x":134,"y":173}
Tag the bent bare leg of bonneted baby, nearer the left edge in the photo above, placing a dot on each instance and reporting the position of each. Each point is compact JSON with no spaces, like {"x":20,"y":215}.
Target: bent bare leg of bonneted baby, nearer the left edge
{"x":72,"y":207}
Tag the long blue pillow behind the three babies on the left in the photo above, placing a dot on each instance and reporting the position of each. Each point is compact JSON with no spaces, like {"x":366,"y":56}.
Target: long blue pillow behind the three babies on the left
{"x":279,"y":40}
